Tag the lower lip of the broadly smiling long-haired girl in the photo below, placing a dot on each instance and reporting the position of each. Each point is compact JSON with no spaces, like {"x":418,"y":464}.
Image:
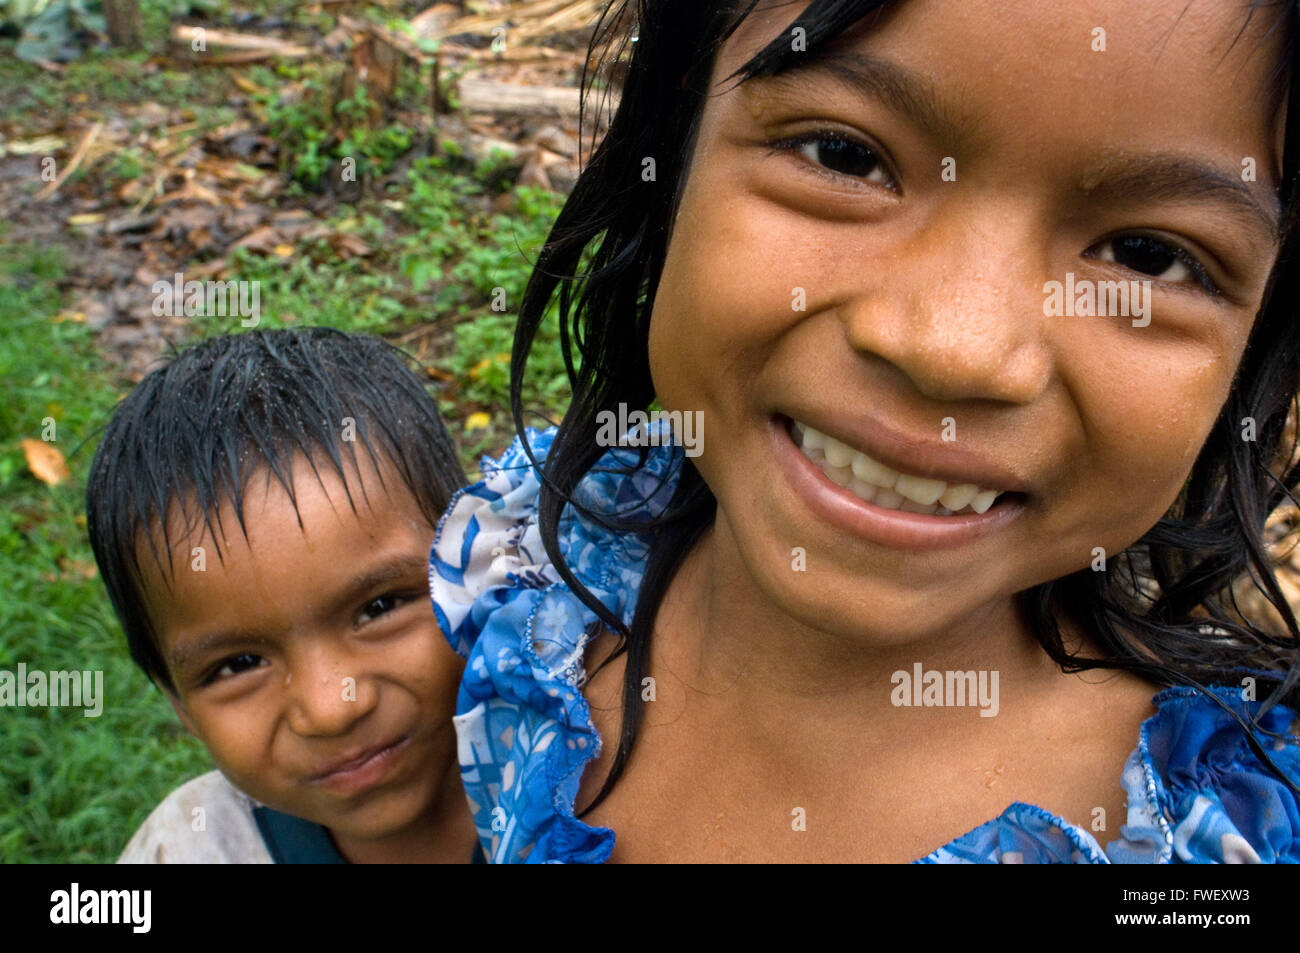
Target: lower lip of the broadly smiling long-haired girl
{"x":894,"y":529}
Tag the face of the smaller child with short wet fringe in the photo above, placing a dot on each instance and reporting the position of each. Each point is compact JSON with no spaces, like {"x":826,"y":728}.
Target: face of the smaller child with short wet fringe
{"x":309,"y":660}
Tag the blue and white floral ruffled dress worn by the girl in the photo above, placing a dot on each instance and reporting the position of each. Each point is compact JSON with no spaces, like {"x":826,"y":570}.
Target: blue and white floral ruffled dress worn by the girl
{"x":1197,"y":792}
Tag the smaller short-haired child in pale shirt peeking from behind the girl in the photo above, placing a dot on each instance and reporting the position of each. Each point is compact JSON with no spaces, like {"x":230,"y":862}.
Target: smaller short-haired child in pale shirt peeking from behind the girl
{"x":262,"y":510}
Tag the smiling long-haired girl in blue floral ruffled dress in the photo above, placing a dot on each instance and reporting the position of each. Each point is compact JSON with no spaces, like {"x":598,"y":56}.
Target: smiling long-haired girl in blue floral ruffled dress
{"x":985,"y":317}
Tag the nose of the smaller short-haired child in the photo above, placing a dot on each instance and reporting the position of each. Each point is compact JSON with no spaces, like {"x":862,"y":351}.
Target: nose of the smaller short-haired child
{"x":326,"y":692}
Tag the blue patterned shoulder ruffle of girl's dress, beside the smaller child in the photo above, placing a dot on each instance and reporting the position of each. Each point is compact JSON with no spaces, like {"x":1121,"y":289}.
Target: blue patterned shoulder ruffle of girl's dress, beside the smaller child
{"x":525,"y":729}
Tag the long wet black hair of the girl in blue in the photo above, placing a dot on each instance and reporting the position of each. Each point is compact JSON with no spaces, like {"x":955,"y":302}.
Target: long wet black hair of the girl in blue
{"x":1172,"y":590}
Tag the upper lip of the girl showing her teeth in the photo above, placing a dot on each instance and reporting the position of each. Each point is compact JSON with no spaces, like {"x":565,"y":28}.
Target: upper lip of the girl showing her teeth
{"x":913,"y":456}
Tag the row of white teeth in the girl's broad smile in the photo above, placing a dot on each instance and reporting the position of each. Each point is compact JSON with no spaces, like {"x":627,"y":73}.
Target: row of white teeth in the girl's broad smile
{"x":881,"y":486}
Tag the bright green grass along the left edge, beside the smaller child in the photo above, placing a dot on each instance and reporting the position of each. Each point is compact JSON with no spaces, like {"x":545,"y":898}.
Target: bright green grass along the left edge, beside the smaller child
{"x":72,"y":789}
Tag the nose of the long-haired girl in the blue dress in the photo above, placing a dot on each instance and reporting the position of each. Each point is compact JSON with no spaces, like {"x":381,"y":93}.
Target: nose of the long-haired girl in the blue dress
{"x":959,"y":309}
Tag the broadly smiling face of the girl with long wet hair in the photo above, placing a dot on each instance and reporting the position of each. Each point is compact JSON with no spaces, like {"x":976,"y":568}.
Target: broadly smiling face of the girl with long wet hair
{"x":869,"y":249}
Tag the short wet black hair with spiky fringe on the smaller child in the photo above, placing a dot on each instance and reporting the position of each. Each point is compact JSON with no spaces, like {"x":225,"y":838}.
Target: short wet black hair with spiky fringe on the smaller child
{"x":193,"y":434}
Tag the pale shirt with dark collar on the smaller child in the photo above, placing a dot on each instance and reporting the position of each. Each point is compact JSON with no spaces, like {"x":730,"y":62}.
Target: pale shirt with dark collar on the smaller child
{"x":210,"y":821}
